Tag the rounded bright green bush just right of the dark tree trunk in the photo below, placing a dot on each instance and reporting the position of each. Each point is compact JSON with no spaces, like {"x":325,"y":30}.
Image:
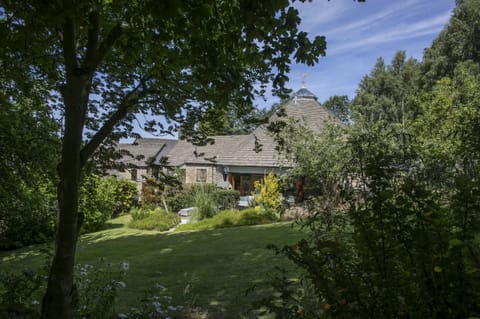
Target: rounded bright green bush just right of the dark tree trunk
{"x":104,"y":198}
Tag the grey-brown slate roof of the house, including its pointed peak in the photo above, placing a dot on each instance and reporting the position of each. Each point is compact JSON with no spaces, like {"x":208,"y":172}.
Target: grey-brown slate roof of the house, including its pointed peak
{"x":233,"y":150}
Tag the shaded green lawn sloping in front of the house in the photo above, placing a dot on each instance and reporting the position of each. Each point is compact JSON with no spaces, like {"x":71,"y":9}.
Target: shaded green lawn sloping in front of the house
{"x":219,"y":264}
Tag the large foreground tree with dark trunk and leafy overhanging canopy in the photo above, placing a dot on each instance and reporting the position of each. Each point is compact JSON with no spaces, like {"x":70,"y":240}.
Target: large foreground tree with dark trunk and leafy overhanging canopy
{"x":104,"y":62}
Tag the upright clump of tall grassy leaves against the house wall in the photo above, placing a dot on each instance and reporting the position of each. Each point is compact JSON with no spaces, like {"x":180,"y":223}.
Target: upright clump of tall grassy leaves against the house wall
{"x":204,"y":200}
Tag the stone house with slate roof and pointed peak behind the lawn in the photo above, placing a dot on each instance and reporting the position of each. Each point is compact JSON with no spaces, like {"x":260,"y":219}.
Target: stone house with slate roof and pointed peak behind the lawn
{"x":233,"y":160}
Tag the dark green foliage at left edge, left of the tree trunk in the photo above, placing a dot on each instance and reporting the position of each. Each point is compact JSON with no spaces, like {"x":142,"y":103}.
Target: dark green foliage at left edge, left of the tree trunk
{"x":28,"y":154}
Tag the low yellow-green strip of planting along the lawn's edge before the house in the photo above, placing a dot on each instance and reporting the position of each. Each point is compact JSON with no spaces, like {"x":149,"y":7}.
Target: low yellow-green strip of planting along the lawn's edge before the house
{"x":233,"y":218}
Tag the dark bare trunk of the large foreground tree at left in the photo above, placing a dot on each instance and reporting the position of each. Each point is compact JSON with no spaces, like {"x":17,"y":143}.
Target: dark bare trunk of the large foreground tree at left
{"x":60,"y":298}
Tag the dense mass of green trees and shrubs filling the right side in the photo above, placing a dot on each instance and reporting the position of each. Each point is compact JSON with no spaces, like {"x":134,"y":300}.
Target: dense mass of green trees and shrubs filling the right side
{"x":395,"y":231}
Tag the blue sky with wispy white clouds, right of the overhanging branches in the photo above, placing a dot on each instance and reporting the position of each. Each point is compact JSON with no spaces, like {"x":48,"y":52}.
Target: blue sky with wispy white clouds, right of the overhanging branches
{"x":359,"y":33}
